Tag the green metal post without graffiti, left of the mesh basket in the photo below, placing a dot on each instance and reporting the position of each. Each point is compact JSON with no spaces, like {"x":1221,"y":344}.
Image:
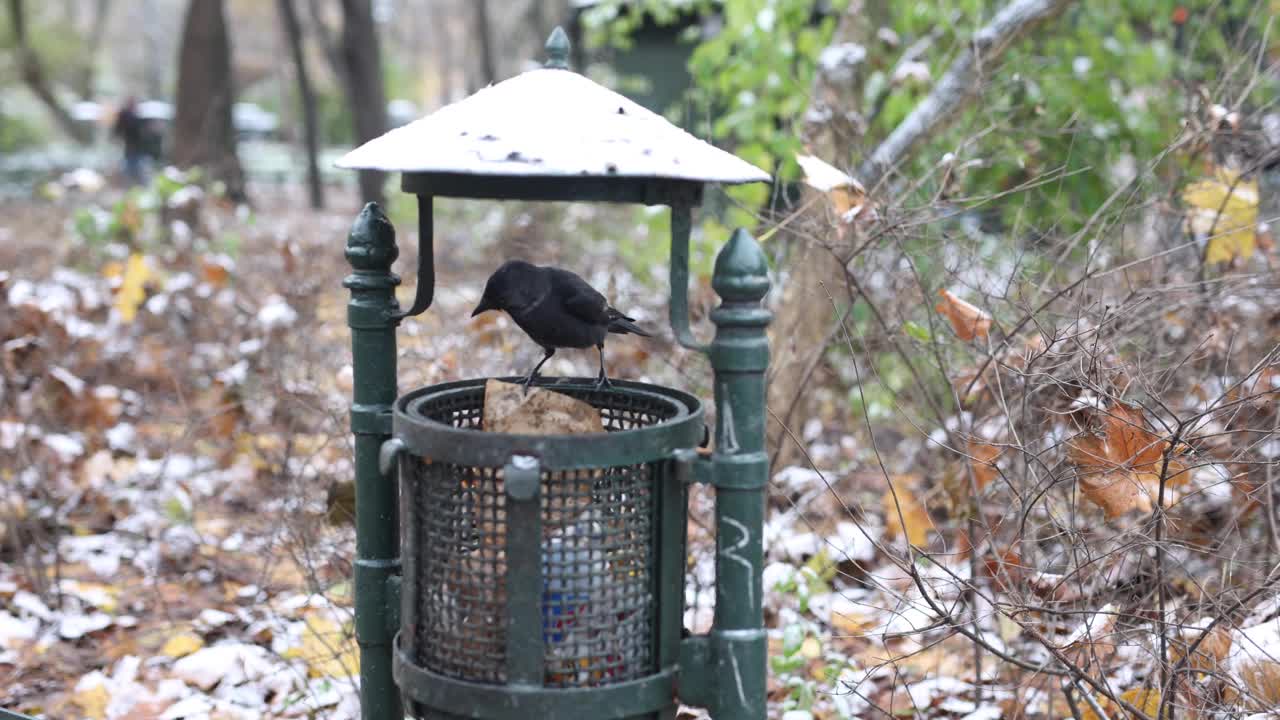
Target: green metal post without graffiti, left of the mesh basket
{"x":373,"y":316}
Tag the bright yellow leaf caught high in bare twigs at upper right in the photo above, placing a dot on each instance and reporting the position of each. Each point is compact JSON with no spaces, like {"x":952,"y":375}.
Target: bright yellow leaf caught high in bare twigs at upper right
{"x":1227,"y":211}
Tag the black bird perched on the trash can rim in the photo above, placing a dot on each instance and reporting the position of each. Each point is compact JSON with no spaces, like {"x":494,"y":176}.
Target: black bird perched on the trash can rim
{"x":556,"y":309}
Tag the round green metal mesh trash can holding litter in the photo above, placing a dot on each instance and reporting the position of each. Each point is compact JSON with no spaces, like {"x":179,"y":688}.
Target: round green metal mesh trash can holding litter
{"x":543,"y":576}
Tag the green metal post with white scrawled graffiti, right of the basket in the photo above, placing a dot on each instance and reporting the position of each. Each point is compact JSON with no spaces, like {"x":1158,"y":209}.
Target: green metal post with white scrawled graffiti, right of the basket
{"x":725,"y":672}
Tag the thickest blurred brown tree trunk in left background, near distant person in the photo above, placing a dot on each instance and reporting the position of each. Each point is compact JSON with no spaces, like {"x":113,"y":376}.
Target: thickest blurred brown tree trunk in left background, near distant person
{"x":203,"y":130}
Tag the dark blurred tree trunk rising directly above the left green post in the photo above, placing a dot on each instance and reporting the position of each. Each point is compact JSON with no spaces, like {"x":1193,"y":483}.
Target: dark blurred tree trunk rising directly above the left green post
{"x":363,"y":78}
